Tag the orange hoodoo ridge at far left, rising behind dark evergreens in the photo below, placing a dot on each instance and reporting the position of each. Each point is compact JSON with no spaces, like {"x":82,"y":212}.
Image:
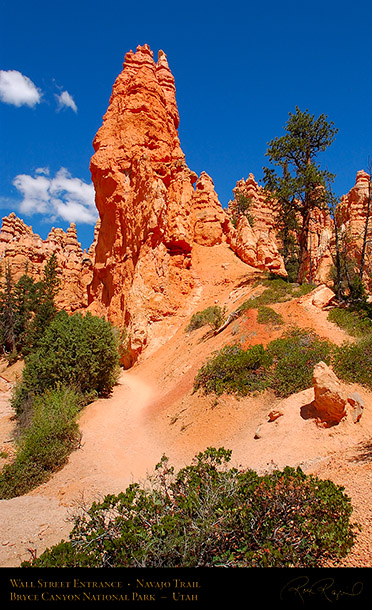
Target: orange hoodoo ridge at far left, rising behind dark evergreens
{"x":25,"y":251}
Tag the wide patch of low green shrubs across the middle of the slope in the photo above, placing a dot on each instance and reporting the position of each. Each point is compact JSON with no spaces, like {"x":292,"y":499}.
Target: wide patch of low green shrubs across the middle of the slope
{"x":285,"y":366}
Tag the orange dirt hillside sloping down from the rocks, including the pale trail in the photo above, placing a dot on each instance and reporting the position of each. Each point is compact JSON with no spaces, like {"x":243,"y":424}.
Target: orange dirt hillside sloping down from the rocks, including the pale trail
{"x":153,"y":410}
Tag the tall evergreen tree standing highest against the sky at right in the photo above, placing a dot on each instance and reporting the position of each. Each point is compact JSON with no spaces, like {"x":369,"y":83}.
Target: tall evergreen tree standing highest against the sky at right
{"x":301,"y":186}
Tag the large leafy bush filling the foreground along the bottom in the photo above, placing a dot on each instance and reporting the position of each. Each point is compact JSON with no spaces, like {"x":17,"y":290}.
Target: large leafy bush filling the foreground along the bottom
{"x":209,"y":515}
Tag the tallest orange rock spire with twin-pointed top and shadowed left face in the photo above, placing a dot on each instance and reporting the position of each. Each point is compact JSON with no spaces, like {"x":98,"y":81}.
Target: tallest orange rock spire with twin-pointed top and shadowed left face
{"x":150,"y":213}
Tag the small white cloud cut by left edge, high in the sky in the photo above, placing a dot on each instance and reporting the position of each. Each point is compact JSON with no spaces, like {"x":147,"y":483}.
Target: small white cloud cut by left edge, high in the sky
{"x":18,"y":90}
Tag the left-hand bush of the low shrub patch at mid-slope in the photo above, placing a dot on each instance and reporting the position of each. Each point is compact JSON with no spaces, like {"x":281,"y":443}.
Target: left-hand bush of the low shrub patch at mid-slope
{"x":234,"y":370}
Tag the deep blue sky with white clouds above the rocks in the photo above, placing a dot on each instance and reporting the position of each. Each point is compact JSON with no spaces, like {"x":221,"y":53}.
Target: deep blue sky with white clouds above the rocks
{"x":240,"y":68}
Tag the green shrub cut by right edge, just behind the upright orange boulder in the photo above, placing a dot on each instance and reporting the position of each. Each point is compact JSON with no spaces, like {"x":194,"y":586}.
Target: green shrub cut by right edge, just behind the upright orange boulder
{"x":352,"y":362}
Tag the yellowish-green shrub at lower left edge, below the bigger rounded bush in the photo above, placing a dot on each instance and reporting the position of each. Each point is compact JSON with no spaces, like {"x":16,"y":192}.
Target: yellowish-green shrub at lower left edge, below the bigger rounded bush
{"x":45,"y":444}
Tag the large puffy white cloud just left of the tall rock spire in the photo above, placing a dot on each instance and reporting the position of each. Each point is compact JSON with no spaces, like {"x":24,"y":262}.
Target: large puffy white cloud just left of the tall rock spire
{"x":62,"y":197}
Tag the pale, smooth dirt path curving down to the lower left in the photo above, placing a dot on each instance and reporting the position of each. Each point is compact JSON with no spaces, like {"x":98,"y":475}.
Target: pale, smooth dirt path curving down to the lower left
{"x":116,"y":448}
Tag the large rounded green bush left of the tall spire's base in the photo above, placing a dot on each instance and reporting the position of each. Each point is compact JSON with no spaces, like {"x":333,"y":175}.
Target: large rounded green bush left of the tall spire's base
{"x":79,"y":351}
